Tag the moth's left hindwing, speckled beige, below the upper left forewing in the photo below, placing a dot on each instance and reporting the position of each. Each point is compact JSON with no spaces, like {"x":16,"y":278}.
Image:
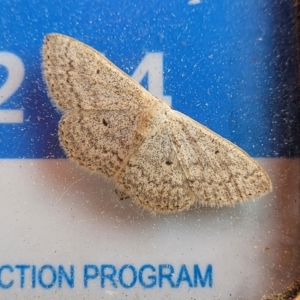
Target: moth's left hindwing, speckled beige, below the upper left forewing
{"x":100,"y":140}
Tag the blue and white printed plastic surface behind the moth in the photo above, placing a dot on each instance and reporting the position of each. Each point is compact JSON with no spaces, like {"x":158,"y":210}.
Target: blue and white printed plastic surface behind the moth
{"x":229,"y":65}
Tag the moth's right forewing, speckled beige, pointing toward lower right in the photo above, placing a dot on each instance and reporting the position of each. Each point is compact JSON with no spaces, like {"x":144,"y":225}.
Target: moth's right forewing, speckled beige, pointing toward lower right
{"x":219,"y":173}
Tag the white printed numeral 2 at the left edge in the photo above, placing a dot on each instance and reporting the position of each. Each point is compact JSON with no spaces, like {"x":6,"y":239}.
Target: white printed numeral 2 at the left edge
{"x":14,"y":79}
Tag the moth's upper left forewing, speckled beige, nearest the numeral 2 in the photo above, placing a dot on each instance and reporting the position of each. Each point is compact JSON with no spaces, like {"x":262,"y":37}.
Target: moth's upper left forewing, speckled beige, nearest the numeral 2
{"x":79,"y":77}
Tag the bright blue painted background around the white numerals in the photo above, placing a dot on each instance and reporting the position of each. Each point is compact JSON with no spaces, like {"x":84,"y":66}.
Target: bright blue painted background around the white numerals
{"x":230,"y":65}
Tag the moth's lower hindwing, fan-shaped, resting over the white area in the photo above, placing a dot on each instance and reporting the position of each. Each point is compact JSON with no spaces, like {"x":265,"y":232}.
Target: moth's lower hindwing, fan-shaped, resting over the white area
{"x":154,"y":178}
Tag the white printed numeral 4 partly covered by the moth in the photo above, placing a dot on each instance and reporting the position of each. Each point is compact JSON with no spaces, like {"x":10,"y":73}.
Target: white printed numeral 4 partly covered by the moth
{"x":152,"y":64}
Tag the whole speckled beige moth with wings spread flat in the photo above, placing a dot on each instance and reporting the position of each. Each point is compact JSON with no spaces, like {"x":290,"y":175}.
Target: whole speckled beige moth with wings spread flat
{"x":160,"y":158}
